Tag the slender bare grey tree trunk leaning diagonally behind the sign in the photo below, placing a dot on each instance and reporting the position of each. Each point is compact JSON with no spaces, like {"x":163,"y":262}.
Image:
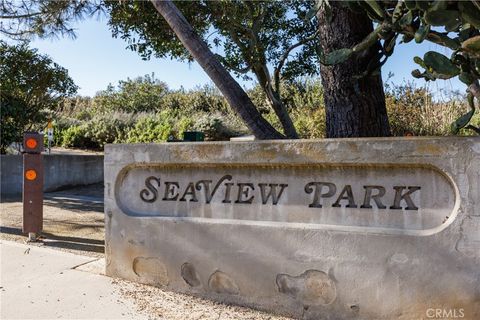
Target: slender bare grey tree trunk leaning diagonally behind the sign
{"x":235,"y":95}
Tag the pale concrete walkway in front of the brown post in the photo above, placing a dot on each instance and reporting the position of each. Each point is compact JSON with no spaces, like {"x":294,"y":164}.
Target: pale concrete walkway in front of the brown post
{"x":42,"y":283}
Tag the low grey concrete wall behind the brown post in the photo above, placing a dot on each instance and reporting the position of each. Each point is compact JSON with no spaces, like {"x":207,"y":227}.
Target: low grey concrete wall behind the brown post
{"x":60,"y":171}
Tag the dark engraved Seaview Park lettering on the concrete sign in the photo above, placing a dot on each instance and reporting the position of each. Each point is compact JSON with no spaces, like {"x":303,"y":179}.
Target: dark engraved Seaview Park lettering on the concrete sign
{"x":271,"y":193}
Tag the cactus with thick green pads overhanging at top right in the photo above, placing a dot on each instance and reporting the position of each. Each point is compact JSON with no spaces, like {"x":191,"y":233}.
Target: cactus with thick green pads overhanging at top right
{"x":455,"y":25}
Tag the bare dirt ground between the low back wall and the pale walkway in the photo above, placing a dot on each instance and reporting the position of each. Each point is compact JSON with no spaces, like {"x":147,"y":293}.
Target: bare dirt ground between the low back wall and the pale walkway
{"x":72,"y":221}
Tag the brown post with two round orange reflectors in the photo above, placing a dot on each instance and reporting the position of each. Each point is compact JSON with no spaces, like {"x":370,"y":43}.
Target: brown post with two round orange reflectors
{"x":32,"y":184}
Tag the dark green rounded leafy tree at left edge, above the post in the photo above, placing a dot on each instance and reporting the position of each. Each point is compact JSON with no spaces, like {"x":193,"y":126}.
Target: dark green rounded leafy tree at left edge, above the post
{"x":32,"y":87}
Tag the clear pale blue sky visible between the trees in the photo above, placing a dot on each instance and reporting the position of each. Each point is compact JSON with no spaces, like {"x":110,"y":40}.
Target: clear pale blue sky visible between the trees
{"x":95,"y":59}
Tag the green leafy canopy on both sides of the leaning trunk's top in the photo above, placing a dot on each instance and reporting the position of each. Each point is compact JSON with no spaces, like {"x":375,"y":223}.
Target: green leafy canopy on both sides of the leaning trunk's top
{"x":247,"y":32}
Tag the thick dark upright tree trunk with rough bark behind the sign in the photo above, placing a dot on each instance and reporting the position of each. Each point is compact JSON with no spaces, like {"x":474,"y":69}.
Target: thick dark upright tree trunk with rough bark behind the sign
{"x":354,"y":107}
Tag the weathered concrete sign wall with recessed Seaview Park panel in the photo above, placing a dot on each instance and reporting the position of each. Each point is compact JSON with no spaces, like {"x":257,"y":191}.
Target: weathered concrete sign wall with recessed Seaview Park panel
{"x":415,"y":253}
